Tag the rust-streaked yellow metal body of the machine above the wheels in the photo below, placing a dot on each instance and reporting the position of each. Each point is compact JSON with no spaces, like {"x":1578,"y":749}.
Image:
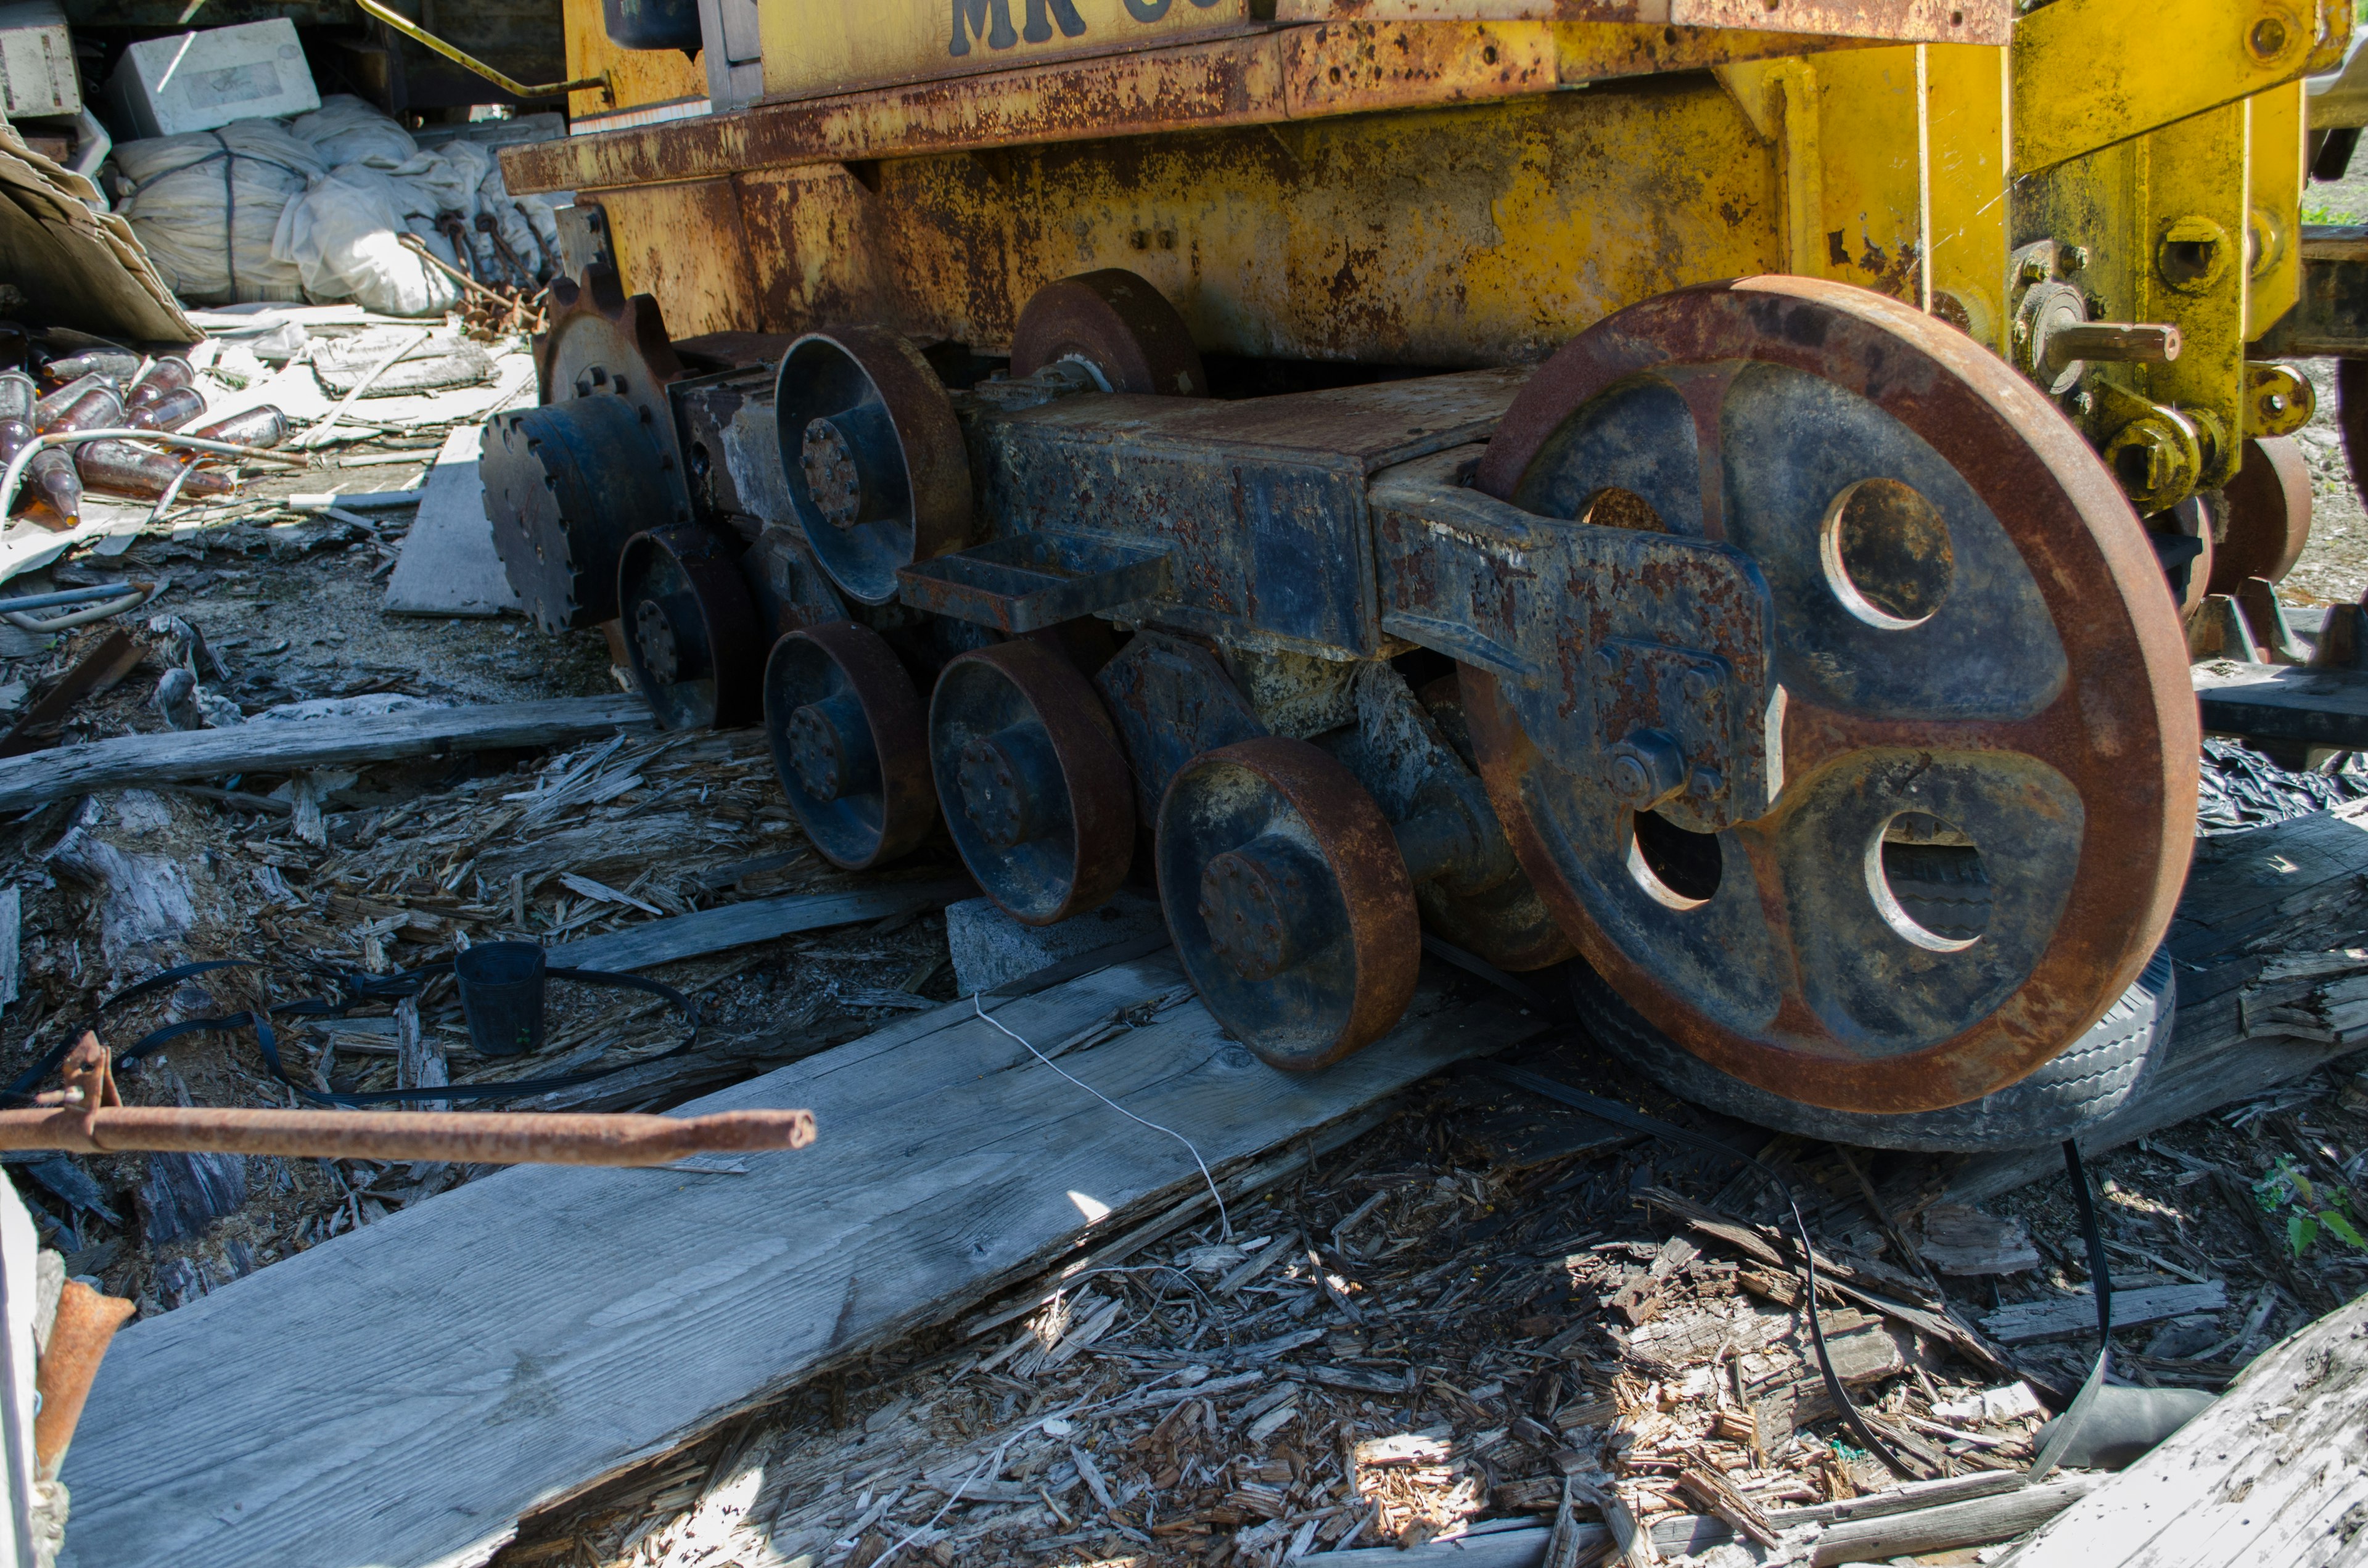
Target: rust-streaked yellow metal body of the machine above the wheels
{"x":1476,"y":191}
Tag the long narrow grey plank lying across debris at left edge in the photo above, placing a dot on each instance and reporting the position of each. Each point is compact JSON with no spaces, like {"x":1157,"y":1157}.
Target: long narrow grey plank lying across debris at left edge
{"x":328,"y":743}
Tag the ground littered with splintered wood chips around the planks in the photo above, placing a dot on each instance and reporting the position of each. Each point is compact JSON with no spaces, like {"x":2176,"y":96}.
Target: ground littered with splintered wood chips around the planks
{"x":1502,"y":1290}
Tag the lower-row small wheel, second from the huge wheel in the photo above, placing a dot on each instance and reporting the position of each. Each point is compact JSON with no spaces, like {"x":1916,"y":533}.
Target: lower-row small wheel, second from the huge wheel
{"x":1034,"y":785}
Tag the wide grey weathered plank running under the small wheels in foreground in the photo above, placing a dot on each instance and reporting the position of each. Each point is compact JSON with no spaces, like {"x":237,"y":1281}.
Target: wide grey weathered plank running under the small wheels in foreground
{"x":506,"y":1344}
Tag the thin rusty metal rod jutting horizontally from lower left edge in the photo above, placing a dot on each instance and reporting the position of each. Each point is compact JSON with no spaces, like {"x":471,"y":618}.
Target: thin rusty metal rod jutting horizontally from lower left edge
{"x":489,"y":1138}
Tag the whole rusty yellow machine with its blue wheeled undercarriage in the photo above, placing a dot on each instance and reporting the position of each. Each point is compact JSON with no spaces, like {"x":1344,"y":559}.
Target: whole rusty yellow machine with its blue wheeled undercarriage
{"x":1704,"y":484}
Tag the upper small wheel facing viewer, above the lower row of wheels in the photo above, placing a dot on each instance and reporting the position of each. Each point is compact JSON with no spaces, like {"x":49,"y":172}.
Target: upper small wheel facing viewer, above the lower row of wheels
{"x":875,"y":456}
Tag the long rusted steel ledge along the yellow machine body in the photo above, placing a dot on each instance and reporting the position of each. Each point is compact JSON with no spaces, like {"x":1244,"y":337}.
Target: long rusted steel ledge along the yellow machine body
{"x":1353,"y":68}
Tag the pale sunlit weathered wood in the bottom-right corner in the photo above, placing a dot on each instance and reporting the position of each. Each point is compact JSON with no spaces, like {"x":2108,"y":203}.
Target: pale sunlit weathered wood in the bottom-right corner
{"x":2270,"y":1474}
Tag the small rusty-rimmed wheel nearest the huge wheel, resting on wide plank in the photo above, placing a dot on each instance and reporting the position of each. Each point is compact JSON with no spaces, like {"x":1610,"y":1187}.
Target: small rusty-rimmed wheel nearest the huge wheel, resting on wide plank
{"x":1287,"y":901}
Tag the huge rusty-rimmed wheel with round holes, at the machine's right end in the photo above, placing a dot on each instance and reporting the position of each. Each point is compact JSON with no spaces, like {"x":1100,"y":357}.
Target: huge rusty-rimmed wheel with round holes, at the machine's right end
{"x":1978,"y":667}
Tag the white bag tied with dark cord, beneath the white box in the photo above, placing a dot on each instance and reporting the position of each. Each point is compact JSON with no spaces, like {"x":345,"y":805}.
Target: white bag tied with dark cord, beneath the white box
{"x":207,"y":207}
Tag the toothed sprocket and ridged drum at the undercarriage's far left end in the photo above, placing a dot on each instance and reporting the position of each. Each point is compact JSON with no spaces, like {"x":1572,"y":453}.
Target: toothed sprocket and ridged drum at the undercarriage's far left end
{"x":596,"y":463}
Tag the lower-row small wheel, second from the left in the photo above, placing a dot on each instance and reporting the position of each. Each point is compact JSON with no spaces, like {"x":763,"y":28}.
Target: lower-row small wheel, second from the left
{"x":849,"y":743}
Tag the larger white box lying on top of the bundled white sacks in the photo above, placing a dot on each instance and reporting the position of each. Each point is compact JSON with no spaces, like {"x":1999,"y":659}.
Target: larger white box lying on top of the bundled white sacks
{"x":200,"y":82}
